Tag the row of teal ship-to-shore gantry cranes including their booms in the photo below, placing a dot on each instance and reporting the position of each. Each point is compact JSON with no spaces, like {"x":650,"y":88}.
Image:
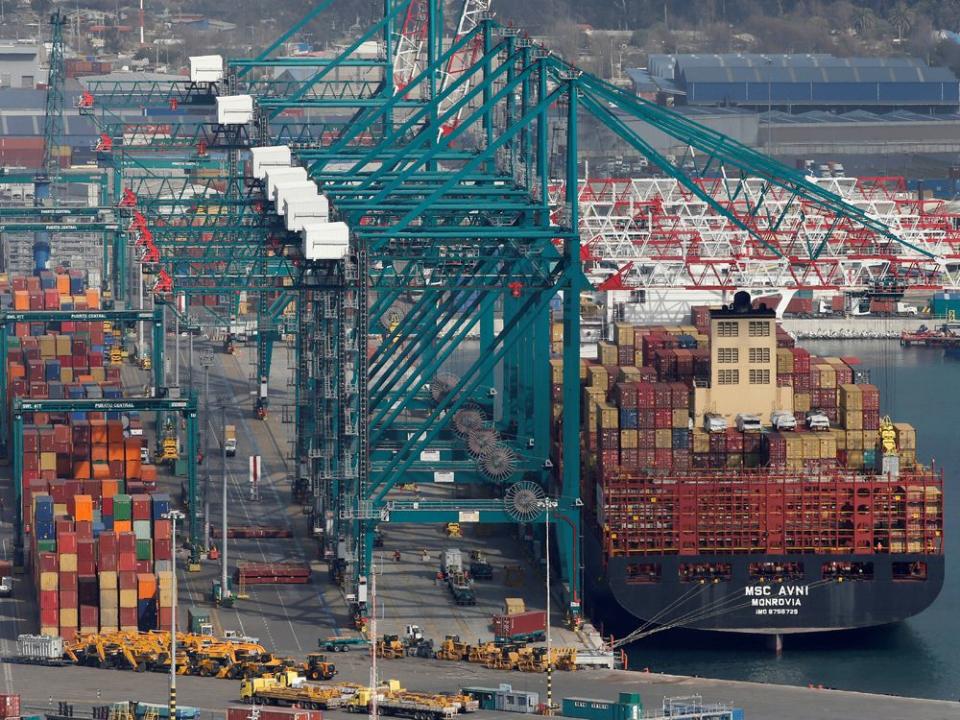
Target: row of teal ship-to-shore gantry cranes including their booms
{"x":461,"y":194}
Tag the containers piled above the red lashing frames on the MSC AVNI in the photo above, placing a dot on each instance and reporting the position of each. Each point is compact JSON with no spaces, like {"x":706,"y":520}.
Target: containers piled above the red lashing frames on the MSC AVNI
{"x":637,"y":418}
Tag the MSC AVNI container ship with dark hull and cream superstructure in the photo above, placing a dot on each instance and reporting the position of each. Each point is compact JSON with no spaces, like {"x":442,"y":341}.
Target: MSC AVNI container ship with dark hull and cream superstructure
{"x":734,"y":482}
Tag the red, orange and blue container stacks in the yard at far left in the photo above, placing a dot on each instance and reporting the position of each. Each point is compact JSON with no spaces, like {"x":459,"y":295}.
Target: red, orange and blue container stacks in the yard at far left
{"x":95,"y":537}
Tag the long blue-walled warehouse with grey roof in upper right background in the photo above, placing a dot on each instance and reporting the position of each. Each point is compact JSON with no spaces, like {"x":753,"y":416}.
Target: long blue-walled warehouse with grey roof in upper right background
{"x":799,"y":83}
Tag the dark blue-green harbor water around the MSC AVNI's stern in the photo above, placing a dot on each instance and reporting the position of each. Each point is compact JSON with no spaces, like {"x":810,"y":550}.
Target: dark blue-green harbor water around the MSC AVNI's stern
{"x":914,"y":658}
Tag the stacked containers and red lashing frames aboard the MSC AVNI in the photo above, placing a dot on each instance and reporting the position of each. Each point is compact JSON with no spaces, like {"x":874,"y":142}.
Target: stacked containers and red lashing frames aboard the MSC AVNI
{"x":656,"y":484}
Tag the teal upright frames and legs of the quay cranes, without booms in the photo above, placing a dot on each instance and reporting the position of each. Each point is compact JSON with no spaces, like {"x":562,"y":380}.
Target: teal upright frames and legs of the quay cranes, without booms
{"x":452,"y":235}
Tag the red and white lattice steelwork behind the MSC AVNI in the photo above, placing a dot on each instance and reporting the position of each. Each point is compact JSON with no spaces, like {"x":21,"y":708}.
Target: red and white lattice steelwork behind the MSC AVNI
{"x":646,"y":233}
